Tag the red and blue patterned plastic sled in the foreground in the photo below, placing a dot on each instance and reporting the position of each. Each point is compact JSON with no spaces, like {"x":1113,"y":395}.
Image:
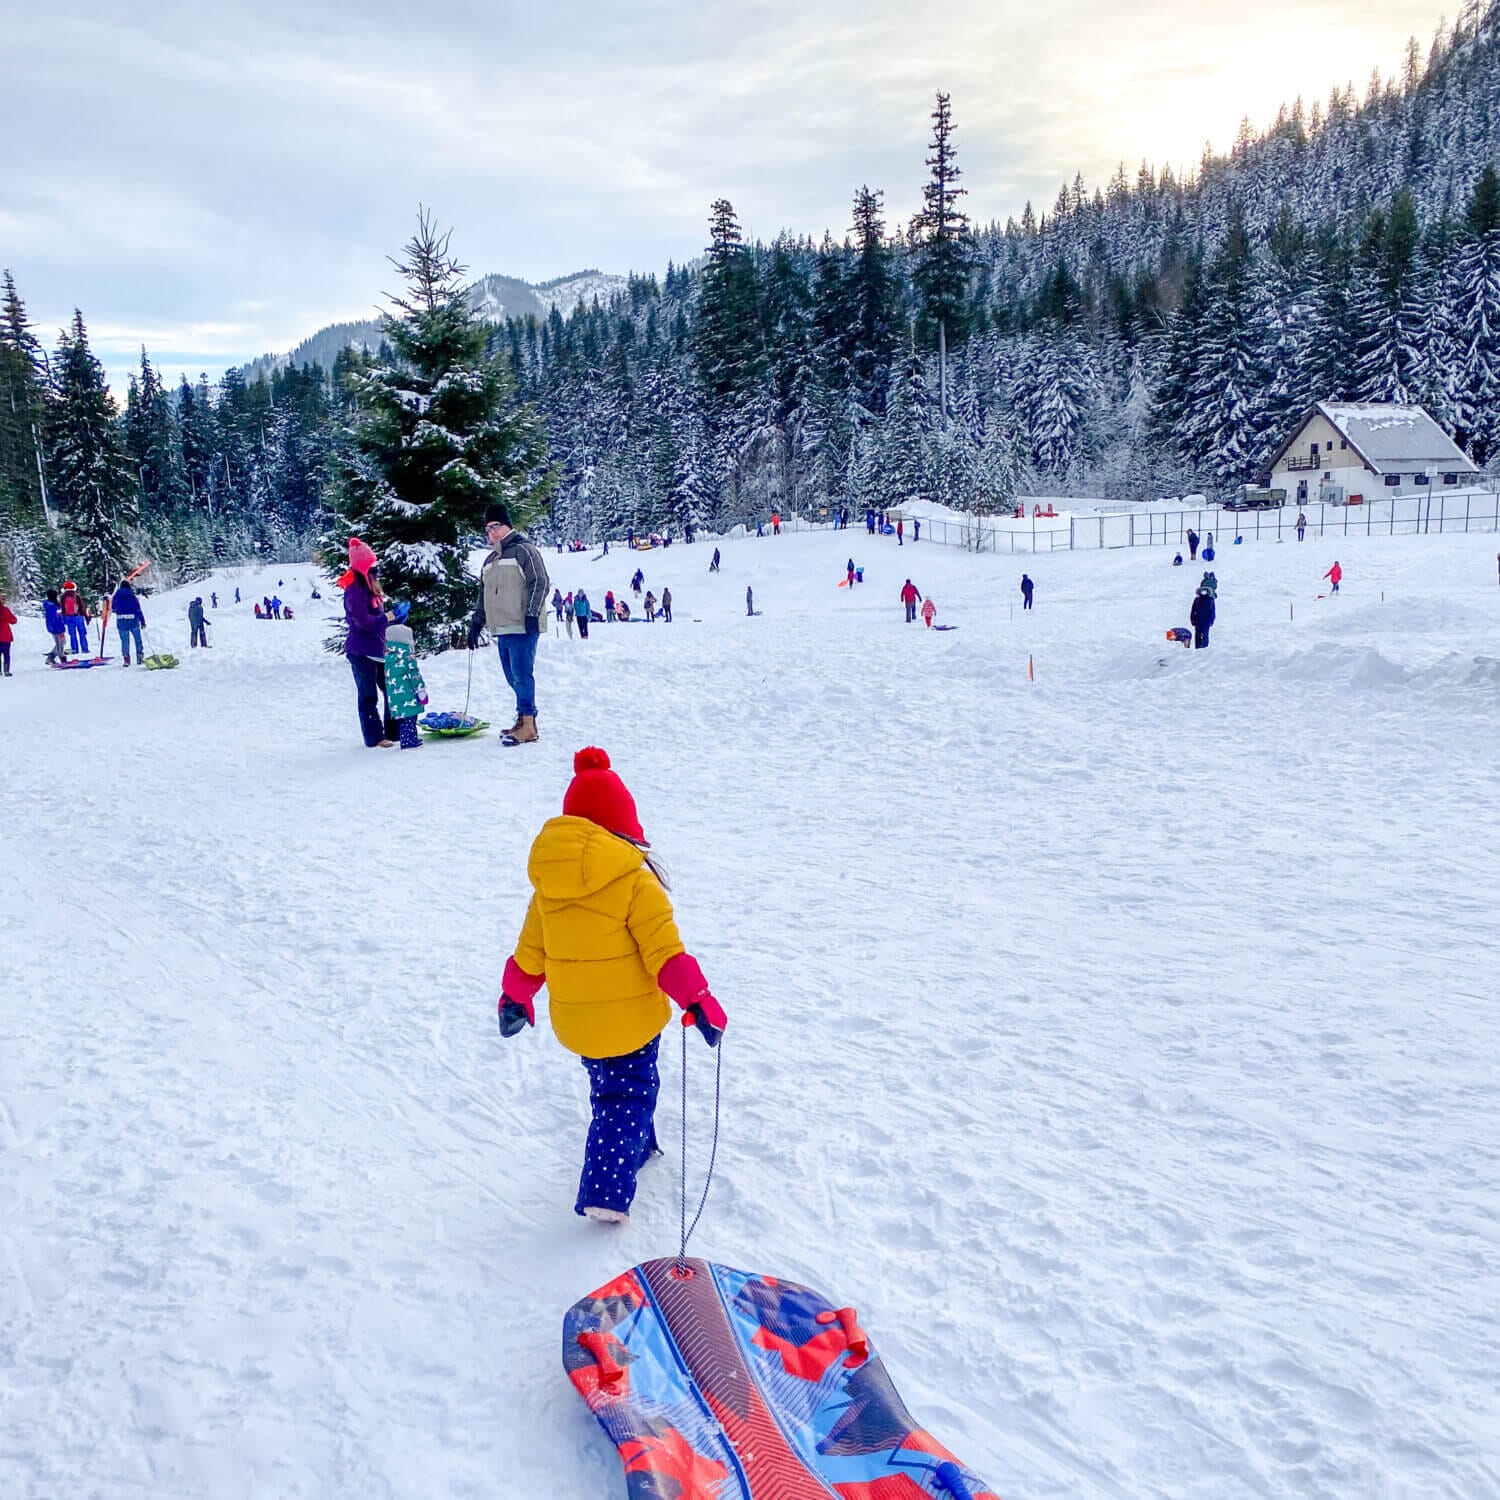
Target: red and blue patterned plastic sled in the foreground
{"x":722,"y":1385}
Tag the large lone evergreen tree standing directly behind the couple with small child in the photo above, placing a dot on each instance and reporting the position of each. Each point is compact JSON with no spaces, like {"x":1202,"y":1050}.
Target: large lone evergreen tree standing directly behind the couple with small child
{"x":437,"y":437}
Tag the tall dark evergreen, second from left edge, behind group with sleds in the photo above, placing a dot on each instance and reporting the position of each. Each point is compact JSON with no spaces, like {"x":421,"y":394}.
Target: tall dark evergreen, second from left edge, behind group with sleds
{"x":92,"y":473}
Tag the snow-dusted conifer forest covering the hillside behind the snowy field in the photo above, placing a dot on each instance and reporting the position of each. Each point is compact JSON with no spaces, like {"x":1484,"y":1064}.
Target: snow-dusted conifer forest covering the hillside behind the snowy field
{"x":1153,"y":337}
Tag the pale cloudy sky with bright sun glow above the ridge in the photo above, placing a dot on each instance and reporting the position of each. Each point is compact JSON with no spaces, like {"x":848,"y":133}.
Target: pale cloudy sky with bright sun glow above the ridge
{"x":223,"y":181}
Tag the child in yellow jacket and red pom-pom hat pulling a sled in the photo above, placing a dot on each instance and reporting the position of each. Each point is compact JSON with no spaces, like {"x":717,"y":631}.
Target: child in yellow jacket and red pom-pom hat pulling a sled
{"x":602,"y":937}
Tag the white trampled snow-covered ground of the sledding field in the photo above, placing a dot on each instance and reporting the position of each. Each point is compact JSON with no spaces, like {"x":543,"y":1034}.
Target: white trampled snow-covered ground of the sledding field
{"x":1121,"y":1043}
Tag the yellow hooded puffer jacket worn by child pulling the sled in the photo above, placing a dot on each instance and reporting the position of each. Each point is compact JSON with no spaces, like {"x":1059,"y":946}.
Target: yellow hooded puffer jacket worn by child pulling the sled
{"x":599,"y":928}
